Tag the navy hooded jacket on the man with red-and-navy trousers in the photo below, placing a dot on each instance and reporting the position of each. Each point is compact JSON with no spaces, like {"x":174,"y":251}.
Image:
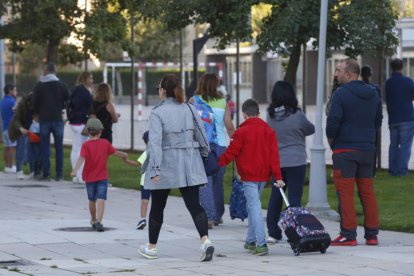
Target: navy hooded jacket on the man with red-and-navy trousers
{"x":354,"y":117}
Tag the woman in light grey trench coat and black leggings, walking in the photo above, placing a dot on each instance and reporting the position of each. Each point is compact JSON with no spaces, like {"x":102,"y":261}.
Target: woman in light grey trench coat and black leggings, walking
{"x":174,"y":161}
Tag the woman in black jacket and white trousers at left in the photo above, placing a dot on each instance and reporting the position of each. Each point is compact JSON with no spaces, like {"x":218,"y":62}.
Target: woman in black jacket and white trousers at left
{"x":78,"y":109}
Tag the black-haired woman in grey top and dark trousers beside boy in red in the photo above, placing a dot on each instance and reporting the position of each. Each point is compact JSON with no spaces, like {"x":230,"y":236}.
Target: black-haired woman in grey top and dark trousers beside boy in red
{"x":291,"y":127}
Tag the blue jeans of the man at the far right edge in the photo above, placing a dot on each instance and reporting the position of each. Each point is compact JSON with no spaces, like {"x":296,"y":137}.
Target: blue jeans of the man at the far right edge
{"x":401,"y":140}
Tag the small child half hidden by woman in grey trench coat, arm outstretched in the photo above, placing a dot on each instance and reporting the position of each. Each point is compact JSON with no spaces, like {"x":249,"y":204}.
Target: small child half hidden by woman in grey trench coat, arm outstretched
{"x":145,"y":194}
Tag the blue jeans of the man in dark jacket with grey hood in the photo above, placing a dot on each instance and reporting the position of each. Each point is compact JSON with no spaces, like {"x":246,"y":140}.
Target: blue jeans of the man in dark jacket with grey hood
{"x":56,"y":129}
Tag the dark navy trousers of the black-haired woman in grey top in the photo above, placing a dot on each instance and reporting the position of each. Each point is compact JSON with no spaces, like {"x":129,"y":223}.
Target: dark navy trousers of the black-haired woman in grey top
{"x":294,"y":177}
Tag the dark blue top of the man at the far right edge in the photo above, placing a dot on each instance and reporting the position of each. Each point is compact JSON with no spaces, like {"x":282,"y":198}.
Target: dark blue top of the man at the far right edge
{"x":399,"y":93}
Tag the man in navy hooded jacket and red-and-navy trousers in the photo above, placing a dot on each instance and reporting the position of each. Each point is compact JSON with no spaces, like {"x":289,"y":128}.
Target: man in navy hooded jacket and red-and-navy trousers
{"x":354,"y":117}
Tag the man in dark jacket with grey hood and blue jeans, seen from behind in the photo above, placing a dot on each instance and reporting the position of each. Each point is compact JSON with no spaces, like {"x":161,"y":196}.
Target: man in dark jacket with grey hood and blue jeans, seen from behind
{"x":50,"y":97}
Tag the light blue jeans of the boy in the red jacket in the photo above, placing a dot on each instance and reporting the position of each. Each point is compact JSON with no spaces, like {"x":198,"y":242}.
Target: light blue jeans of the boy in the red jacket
{"x":255,"y":232}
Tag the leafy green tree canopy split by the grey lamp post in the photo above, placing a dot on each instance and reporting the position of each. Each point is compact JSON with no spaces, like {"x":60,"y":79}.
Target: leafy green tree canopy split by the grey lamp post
{"x":361,"y":27}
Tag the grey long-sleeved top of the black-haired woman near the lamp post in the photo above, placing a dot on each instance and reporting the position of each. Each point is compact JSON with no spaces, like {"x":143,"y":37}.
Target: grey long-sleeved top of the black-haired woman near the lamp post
{"x":291,"y":130}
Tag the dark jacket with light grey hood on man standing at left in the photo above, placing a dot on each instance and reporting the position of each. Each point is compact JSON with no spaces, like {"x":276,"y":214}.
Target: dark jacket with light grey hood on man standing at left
{"x":50,"y":97}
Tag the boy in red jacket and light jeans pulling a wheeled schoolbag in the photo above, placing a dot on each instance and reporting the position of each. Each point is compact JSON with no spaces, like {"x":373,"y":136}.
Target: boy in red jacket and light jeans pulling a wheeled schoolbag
{"x":254,"y":146}
